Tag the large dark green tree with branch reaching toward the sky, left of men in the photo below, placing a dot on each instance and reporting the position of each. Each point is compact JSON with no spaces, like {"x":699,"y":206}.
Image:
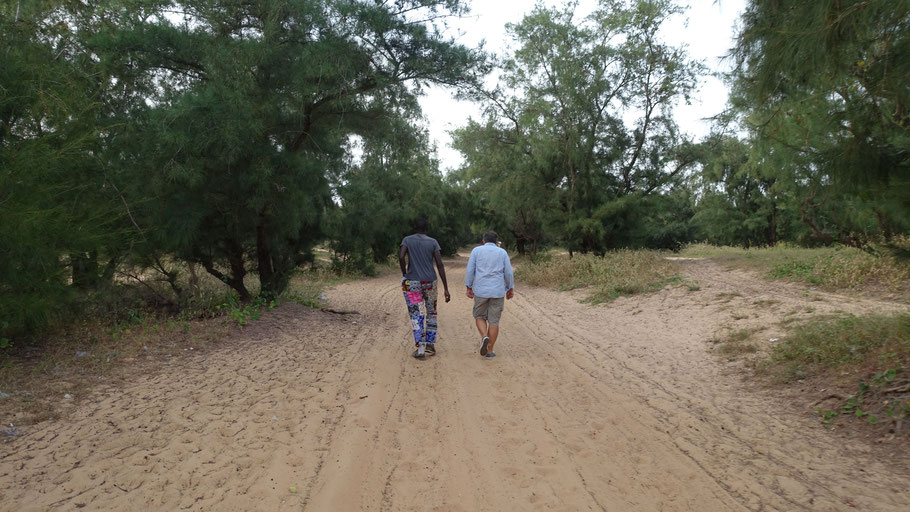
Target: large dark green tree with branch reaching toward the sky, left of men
{"x":246,"y":111}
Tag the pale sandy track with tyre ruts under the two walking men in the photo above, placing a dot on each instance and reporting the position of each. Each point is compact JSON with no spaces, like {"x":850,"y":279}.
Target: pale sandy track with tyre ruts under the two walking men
{"x":618,"y":407}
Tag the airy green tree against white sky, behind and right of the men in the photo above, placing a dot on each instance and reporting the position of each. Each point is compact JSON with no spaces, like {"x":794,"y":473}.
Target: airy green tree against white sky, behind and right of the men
{"x":555,"y":160}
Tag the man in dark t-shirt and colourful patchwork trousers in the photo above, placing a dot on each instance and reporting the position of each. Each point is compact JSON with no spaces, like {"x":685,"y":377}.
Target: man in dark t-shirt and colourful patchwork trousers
{"x":418,"y":283}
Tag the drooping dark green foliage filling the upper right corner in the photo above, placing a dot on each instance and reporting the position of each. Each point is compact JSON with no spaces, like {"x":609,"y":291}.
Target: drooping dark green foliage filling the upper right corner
{"x":822,"y":88}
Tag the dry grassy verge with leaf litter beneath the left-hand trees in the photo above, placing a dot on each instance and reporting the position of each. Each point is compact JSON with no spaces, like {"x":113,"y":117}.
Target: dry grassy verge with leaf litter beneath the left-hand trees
{"x":42,"y":376}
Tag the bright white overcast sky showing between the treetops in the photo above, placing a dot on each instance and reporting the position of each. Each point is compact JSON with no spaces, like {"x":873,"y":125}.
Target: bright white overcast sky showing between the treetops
{"x":706,"y":29}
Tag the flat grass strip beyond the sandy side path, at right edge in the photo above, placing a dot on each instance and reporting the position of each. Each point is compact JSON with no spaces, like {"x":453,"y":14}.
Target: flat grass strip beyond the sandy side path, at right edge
{"x":831,"y":268}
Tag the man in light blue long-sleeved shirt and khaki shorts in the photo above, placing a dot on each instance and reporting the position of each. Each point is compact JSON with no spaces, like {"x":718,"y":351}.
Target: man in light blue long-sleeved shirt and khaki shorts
{"x":489,"y":280}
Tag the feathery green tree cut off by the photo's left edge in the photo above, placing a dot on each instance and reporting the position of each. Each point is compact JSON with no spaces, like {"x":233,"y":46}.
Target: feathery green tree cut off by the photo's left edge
{"x":62,"y":224}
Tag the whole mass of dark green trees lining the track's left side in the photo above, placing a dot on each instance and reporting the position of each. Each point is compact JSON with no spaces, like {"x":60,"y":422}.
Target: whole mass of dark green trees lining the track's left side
{"x":135,"y":139}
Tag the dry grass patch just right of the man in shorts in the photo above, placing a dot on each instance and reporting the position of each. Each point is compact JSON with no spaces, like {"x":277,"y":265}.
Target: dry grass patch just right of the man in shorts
{"x":618,"y":273}
